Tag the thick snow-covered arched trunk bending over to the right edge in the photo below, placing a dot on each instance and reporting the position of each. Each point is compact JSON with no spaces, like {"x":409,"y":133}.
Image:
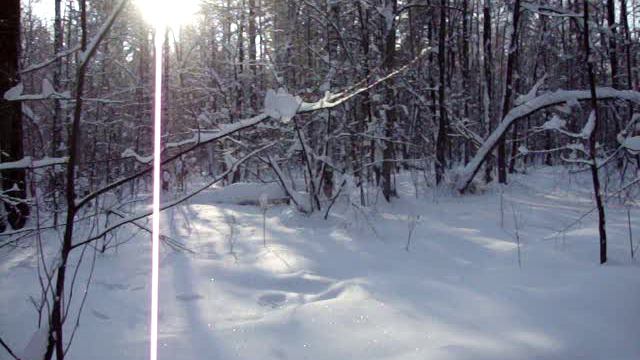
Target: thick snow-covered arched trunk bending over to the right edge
{"x":540,"y":102}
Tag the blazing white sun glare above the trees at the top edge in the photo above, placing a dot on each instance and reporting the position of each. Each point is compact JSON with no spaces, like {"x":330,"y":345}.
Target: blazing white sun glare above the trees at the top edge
{"x":169,"y":13}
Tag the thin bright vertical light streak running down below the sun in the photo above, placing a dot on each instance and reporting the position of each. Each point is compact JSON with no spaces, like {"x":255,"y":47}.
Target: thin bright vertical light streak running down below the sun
{"x":155,"y":229}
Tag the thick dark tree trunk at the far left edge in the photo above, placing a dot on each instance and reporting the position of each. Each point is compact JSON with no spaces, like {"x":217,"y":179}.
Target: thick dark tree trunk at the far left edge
{"x":11,"y":115}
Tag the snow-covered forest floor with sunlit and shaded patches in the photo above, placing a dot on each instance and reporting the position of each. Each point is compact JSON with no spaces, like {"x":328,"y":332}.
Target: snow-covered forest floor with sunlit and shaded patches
{"x":346,"y":288}
